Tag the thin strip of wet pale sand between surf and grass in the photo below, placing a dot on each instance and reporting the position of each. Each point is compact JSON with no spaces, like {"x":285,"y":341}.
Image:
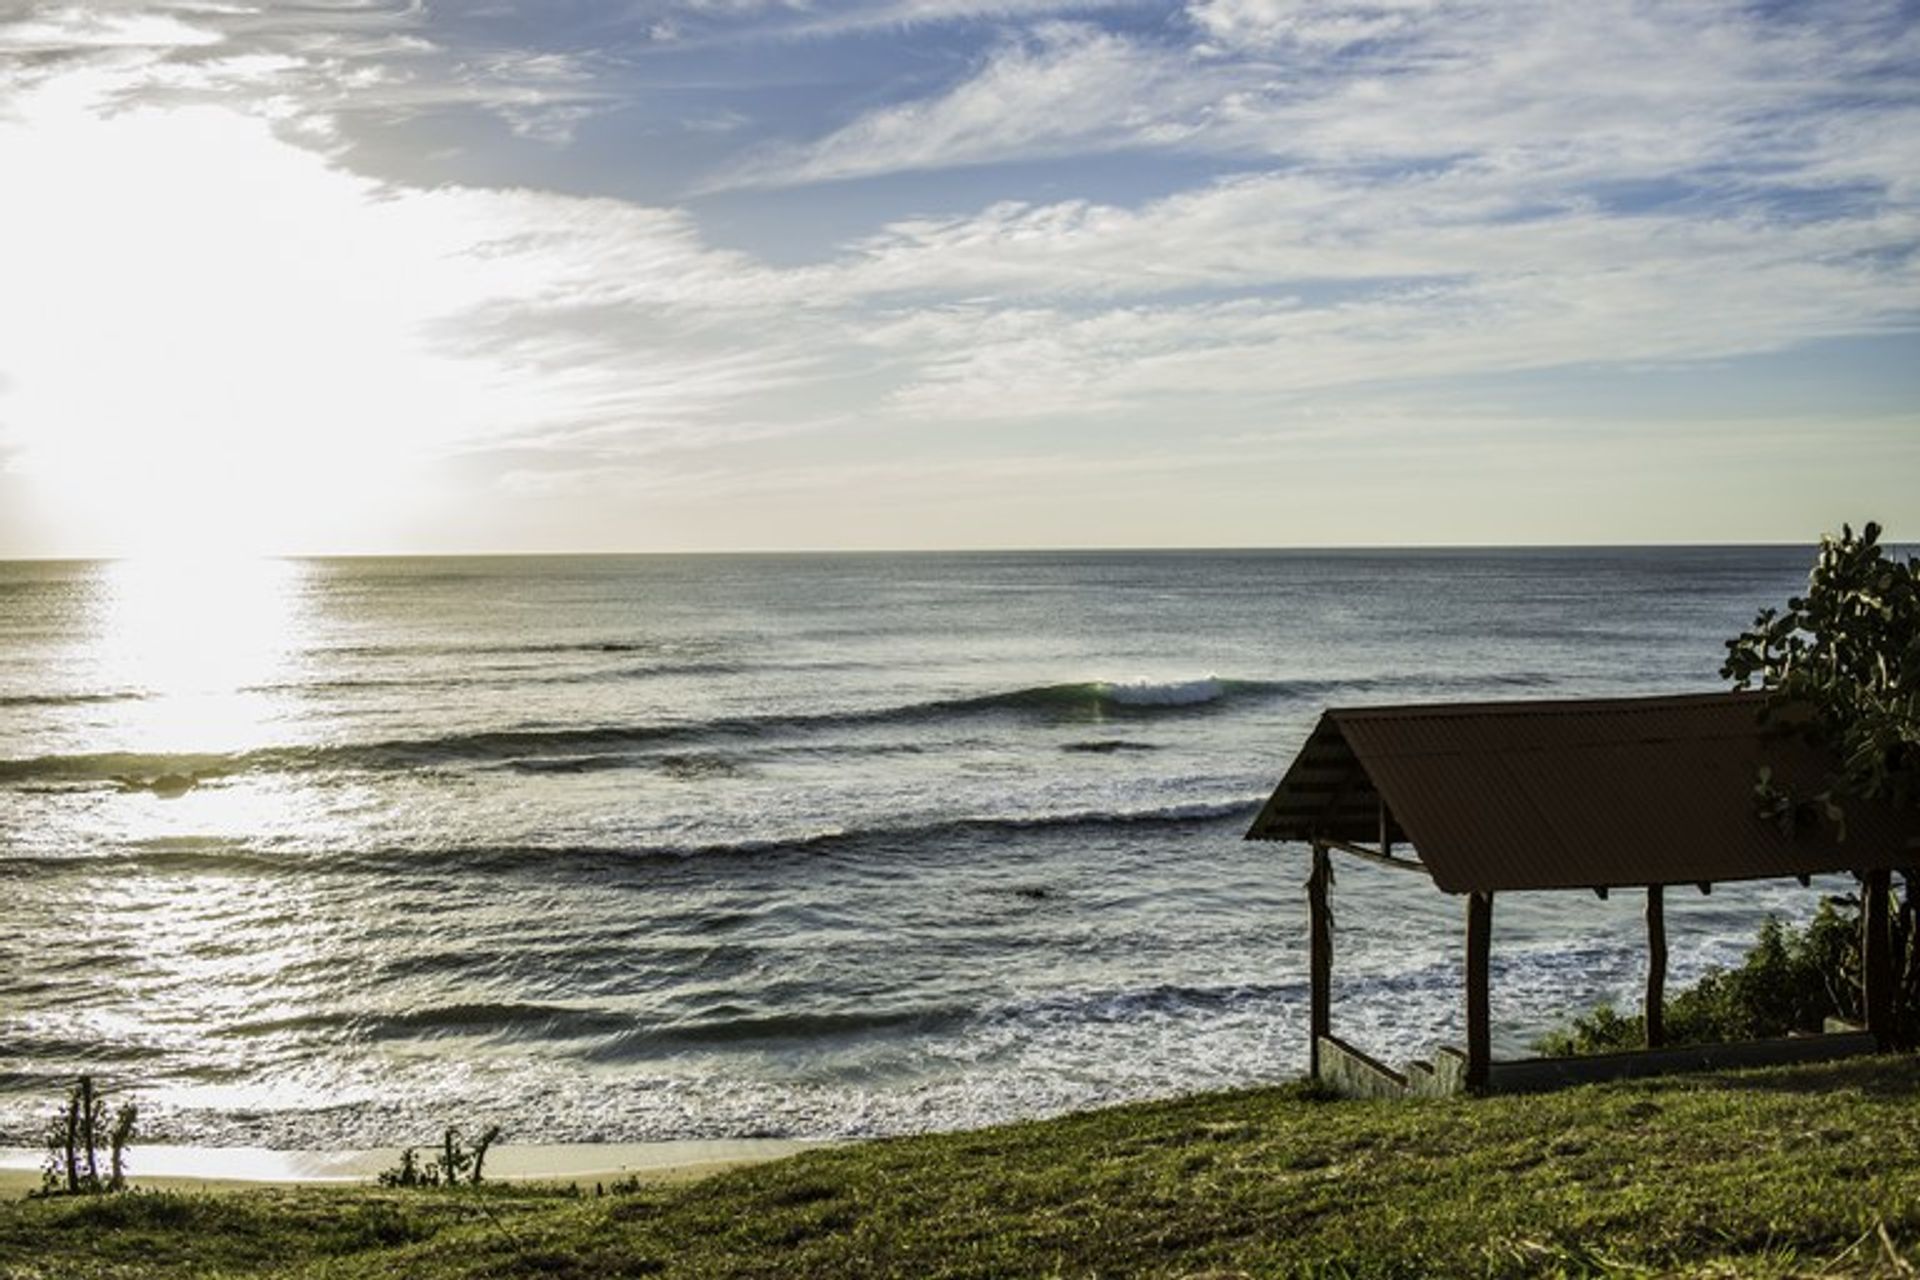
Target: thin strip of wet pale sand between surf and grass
{"x":208,"y":1170}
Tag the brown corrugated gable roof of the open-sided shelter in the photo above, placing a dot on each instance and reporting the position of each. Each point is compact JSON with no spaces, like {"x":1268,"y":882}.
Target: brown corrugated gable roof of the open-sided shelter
{"x":1575,"y":794}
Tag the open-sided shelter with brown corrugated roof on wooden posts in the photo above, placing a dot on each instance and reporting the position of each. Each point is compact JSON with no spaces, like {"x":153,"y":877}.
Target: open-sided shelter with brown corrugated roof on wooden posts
{"x":1591,"y":795}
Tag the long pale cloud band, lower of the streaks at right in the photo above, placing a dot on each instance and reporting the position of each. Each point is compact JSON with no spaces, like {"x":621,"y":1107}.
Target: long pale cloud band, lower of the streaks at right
{"x":1570,"y":293}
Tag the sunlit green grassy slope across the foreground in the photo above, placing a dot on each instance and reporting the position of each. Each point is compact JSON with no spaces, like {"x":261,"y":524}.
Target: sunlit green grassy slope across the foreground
{"x":1769,"y":1173}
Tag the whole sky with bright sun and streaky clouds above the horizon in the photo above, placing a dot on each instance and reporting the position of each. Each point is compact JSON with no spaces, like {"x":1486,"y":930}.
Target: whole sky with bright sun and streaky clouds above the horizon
{"x":681,"y":275}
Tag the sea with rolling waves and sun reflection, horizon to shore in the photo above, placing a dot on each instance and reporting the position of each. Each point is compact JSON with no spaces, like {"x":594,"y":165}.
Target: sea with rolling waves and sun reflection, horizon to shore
{"x":694,"y":847}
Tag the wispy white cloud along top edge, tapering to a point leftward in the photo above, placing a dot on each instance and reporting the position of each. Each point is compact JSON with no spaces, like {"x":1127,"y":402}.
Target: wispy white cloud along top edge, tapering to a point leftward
{"x":1581,"y":93}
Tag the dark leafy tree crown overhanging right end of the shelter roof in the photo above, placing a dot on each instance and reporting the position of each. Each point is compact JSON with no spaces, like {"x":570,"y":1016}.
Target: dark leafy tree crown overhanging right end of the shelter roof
{"x":1846,"y":659}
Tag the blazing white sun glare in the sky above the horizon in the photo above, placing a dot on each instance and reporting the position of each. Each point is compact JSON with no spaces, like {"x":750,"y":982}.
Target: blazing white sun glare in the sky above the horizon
{"x":218,"y":341}
